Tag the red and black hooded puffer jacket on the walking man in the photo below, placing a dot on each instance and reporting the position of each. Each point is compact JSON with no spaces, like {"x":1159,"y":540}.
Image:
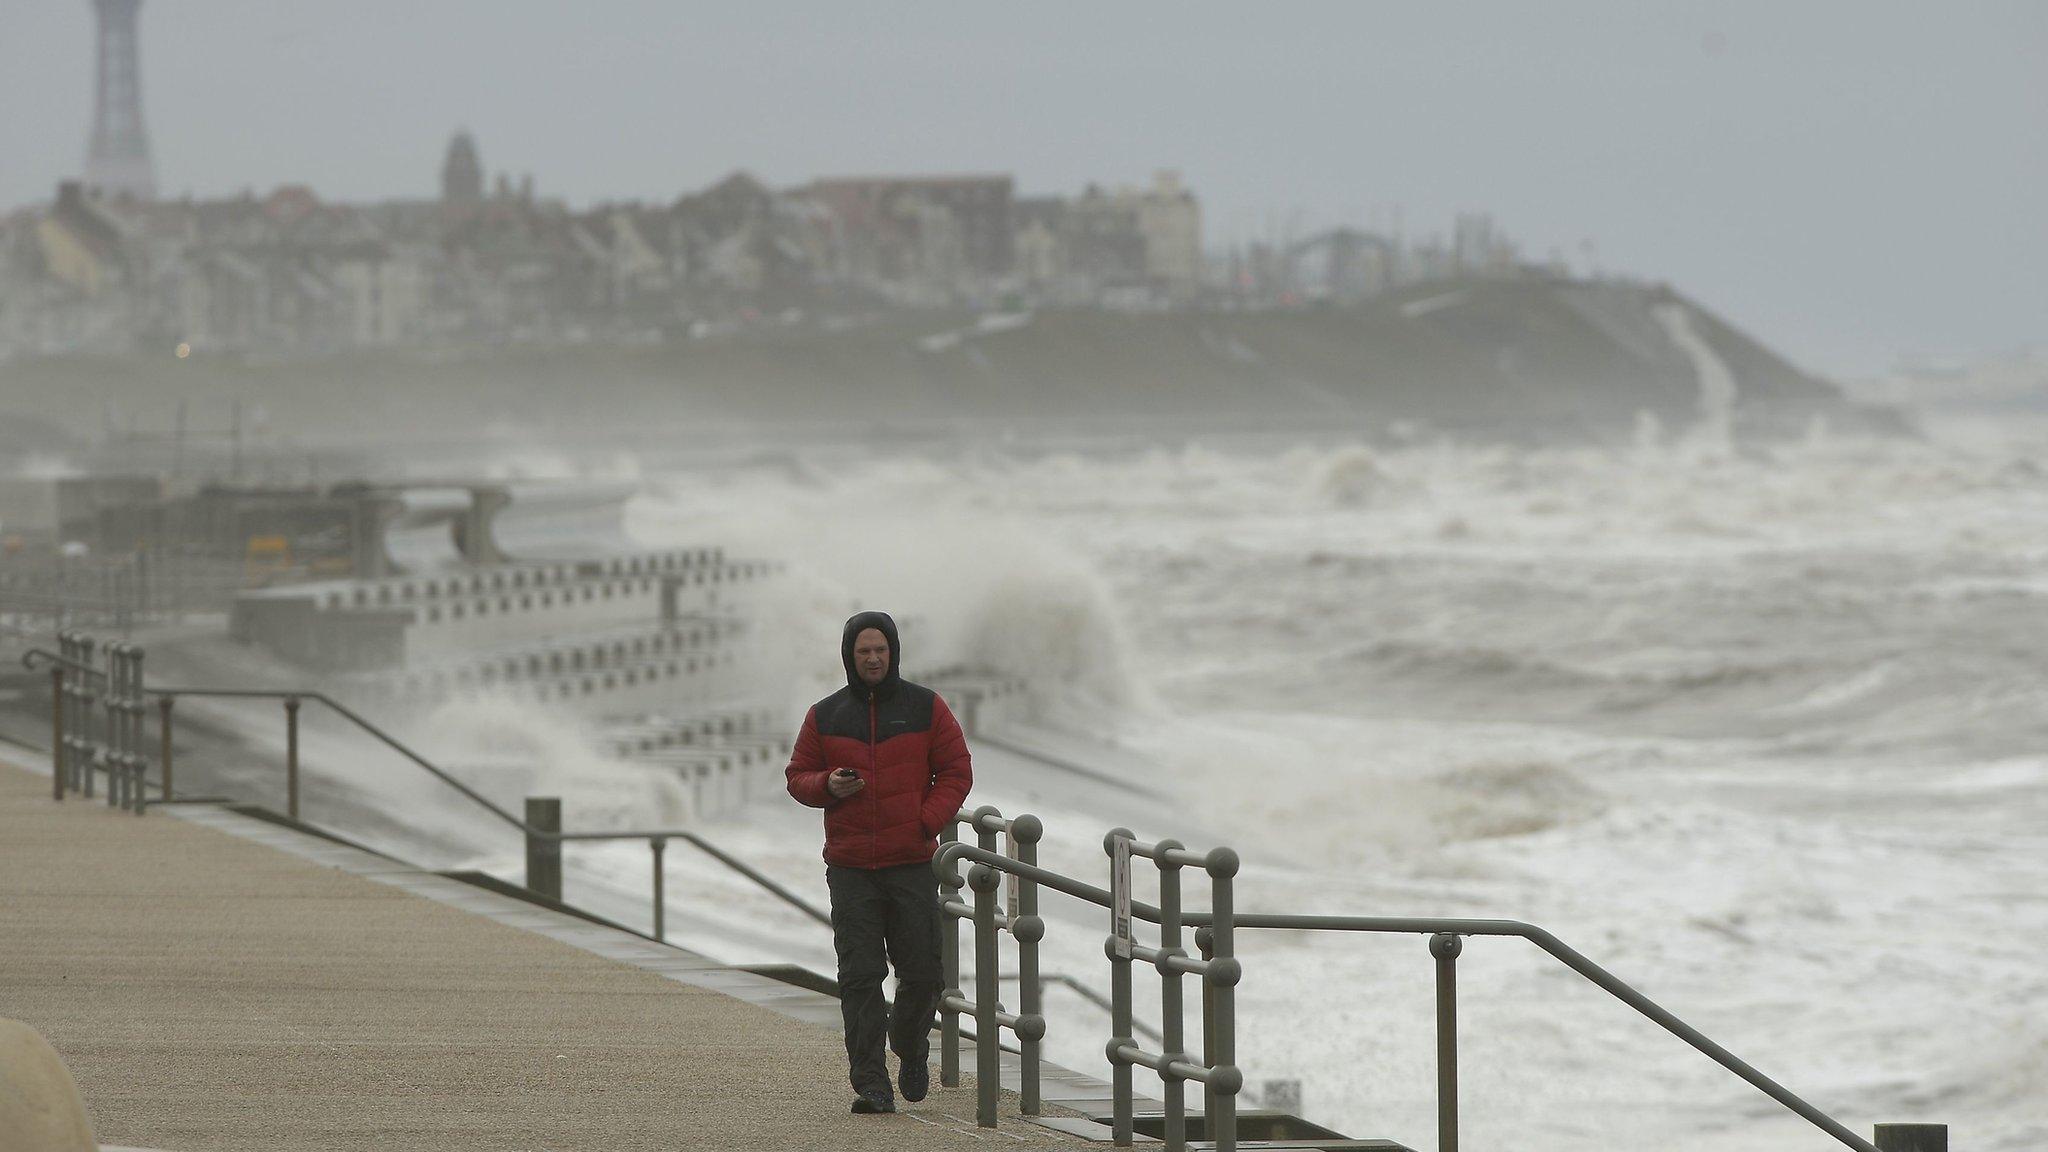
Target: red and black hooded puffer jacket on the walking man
{"x":908,"y":749}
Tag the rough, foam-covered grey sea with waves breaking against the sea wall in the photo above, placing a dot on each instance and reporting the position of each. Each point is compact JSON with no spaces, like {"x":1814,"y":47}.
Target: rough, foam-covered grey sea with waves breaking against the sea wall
{"x":1764,"y":731}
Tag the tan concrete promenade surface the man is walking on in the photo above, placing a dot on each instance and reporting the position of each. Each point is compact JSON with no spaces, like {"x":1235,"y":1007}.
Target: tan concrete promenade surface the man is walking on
{"x":218,"y":983}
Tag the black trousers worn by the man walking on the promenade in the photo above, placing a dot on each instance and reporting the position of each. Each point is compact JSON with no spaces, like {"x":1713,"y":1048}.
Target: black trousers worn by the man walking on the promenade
{"x":880,"y":919}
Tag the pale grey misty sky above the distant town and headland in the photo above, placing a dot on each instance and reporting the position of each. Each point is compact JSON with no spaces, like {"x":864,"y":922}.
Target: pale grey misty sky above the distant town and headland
{"x":1852,"y":181}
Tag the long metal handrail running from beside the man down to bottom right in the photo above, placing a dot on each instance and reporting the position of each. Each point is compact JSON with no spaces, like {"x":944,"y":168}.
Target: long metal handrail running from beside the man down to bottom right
{"x":1439,"y":925}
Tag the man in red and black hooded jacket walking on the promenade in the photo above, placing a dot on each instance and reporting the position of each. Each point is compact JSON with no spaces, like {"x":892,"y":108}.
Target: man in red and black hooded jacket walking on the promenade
{"x":888,"y":764}
